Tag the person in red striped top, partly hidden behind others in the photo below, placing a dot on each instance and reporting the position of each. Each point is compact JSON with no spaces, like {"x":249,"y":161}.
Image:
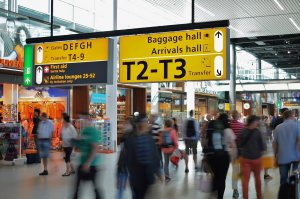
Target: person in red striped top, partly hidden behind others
{"x":237,"y":128}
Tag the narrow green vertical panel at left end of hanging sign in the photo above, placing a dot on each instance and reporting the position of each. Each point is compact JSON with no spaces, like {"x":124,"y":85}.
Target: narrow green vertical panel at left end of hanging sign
{"x":28,"y":64}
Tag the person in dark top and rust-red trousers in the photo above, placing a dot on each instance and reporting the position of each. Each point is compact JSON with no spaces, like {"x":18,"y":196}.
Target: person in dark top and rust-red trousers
{"x":252,"y":147}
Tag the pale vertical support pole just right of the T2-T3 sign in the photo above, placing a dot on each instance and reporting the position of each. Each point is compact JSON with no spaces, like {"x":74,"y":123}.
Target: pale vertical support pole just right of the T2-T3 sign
{"x":232,"y":91}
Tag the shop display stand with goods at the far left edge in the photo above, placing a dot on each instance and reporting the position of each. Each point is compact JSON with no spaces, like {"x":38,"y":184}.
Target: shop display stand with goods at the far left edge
{"x":11,"y":143}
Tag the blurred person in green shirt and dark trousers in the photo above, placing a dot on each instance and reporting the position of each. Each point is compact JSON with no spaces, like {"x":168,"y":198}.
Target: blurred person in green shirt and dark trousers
{"x":89,"y":158}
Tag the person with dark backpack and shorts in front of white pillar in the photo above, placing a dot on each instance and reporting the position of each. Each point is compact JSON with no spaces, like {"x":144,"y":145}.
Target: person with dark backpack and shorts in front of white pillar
{"x":191,"y":137}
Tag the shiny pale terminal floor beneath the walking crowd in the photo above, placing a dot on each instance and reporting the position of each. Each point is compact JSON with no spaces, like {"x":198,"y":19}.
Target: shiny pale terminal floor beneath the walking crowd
{"x":23,"y":182}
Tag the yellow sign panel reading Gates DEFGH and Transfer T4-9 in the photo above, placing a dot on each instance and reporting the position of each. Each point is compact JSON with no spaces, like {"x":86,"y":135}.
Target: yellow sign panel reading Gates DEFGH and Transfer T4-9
{"x":72,"y":51}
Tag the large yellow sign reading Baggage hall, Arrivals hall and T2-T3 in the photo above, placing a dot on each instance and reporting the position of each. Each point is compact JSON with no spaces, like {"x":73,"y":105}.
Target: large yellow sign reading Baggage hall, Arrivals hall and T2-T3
{"x":174,"y":56}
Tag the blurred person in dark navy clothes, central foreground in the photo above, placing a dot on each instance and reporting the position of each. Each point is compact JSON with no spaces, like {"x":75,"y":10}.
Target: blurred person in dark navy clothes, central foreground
{"x":142,"y":159}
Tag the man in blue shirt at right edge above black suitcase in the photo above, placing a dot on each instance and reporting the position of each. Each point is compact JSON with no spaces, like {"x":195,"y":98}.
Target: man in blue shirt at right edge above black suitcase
{"x":286,"y":145}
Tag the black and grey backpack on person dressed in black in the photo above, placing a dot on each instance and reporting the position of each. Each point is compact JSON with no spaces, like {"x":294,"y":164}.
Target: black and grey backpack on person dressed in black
{"x":215,"y":137}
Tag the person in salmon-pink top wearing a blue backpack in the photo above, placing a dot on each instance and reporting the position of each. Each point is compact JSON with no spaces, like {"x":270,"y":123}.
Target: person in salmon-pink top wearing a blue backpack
{"x":168,"y":143}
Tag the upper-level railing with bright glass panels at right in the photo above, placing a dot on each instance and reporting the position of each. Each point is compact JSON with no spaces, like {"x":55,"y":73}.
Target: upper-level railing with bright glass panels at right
{"x":269,"y":74}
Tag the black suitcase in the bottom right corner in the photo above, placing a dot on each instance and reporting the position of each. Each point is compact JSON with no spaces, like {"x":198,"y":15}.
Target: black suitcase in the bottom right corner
{"x":291,"y":189}
